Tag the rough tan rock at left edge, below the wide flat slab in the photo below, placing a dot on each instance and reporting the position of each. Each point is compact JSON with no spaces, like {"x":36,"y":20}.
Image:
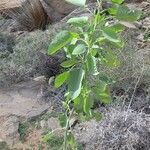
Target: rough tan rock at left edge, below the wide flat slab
{"x":9,"y":130}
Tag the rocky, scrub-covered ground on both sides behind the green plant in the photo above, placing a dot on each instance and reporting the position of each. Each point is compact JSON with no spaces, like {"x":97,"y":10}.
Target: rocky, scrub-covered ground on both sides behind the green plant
{"x":27,"y":102}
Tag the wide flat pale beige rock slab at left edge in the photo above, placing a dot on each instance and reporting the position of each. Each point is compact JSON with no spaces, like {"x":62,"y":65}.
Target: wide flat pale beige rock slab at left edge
{"x":23,"y":100}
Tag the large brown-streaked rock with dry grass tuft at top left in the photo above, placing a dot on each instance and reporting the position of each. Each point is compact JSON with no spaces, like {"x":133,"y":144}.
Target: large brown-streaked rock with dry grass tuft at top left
{"x":35,"y":14}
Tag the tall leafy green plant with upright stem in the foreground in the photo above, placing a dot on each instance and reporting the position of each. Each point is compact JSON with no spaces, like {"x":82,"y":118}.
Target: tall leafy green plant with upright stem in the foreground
{"x":92,"y":43}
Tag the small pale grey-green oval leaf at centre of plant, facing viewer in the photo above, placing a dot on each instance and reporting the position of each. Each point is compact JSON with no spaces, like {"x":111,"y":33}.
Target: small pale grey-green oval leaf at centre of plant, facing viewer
{"x":80,"y":49}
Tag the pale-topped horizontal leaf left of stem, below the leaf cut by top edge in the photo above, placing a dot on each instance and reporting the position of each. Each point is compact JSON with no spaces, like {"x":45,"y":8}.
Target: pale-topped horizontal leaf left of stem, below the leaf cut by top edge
{"x":78,"y":21}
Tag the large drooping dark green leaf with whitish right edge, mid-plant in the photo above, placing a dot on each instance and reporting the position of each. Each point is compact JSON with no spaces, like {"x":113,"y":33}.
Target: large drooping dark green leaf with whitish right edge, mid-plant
{"x":75,"y":82}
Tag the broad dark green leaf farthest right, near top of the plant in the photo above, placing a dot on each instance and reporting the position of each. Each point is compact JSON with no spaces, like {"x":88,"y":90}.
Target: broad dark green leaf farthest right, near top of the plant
{"x":125,"y":14}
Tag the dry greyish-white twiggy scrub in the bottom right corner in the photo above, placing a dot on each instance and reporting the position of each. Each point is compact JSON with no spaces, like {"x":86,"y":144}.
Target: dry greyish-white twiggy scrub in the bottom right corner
{"x":116,"y":132}
